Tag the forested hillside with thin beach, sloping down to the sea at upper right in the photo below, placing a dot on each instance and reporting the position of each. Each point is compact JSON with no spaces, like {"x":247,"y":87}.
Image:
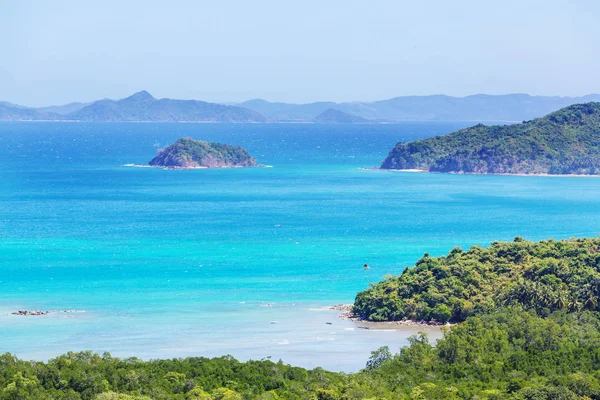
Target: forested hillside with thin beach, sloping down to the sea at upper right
{"x":564,"y":142}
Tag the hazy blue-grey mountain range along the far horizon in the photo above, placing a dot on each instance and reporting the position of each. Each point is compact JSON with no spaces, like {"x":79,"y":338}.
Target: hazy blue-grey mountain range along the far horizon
{"x":142,"y":106}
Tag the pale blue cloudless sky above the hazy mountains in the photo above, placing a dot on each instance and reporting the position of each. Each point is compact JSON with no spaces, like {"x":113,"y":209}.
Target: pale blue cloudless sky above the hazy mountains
{"x":55,"y":52}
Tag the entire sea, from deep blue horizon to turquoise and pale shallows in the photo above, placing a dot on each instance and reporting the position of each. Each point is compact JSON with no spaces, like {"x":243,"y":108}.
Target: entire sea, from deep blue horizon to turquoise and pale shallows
{"x":239,"y":261}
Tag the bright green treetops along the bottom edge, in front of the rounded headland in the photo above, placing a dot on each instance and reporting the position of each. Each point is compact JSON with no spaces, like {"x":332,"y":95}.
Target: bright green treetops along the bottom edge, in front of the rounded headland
{"x":509,"y":354}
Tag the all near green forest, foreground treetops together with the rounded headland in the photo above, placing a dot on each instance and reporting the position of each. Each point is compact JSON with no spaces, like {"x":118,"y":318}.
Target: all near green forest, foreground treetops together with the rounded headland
{"x":529,"y":330}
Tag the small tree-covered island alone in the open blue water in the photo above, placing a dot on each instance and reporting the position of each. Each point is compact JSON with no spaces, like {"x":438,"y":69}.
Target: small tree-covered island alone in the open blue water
{"x":188,"y":153}
